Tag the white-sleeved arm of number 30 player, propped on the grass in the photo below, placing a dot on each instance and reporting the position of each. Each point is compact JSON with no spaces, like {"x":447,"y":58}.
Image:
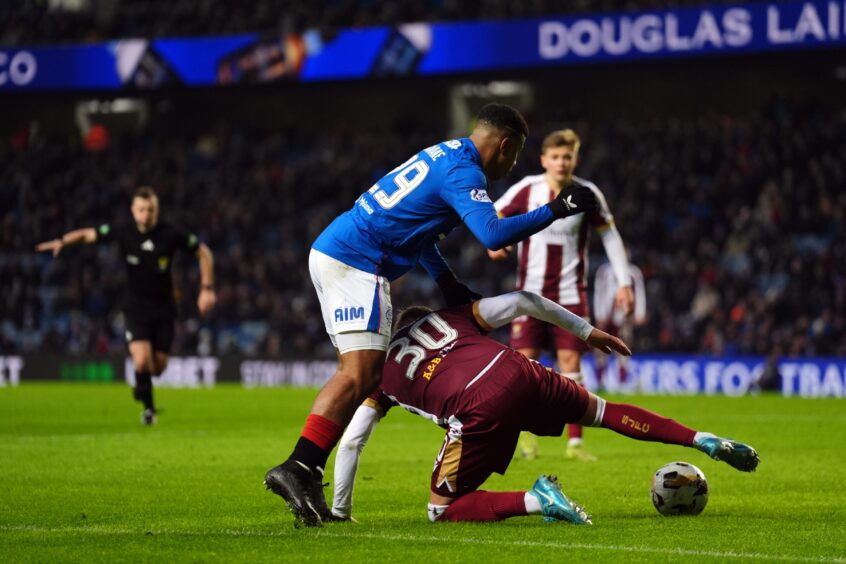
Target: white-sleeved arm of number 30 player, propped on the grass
{"x":349,"y":453}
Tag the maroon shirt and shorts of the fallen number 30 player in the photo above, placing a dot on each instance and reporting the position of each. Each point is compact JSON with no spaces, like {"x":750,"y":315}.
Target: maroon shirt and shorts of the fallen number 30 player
{"x":484,"y":393}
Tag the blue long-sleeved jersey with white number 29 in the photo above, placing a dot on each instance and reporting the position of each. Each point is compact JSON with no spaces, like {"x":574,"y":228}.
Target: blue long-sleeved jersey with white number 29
{"x":396,"y":223}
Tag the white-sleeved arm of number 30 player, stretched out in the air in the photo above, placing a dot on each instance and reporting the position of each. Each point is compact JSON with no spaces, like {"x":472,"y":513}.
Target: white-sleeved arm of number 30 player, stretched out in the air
{"x":500,"y":310}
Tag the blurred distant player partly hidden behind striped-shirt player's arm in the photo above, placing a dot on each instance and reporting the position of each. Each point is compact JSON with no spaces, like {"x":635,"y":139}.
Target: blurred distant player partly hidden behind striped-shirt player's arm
{"x":612,"y":319}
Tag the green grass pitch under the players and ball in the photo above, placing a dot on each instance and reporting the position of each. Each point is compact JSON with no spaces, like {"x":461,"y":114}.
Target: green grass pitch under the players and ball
{"x":80,"y":479}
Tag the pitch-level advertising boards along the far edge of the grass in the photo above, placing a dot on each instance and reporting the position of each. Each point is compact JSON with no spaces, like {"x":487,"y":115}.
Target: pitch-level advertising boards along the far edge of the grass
{"x":644,"y":374}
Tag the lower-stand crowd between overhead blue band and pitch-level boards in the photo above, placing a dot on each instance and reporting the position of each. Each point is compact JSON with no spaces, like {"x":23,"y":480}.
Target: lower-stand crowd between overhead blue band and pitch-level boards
{"x":737,"y":223}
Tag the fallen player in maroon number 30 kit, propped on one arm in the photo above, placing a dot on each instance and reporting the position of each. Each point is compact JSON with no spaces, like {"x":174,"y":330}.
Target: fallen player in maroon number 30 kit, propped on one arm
{"x":442,"y":366}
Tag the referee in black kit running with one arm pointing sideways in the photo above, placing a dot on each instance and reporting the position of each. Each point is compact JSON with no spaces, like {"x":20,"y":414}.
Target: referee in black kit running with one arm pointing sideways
{"x":148,"y":246}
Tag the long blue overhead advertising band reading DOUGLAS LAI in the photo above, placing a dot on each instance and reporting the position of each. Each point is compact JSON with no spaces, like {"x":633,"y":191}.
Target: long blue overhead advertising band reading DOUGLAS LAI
{"x":423,"y":49}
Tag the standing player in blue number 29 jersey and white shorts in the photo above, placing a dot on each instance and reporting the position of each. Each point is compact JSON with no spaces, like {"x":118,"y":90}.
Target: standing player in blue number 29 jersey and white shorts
{"x":389,"y":229}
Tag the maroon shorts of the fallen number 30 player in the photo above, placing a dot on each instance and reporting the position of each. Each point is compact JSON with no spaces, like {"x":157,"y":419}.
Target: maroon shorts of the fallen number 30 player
{"x":517,"y":395}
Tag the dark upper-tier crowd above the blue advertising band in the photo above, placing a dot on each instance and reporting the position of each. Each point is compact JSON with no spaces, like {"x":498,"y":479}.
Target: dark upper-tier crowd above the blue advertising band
{"x":40,"y":21}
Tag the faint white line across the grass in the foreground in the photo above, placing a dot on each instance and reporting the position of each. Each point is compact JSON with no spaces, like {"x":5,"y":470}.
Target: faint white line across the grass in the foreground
{"x":107,"y":530}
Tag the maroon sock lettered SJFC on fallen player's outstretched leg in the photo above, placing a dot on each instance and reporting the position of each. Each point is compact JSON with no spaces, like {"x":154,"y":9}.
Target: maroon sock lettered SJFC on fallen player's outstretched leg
{"x":641,"y":424}
